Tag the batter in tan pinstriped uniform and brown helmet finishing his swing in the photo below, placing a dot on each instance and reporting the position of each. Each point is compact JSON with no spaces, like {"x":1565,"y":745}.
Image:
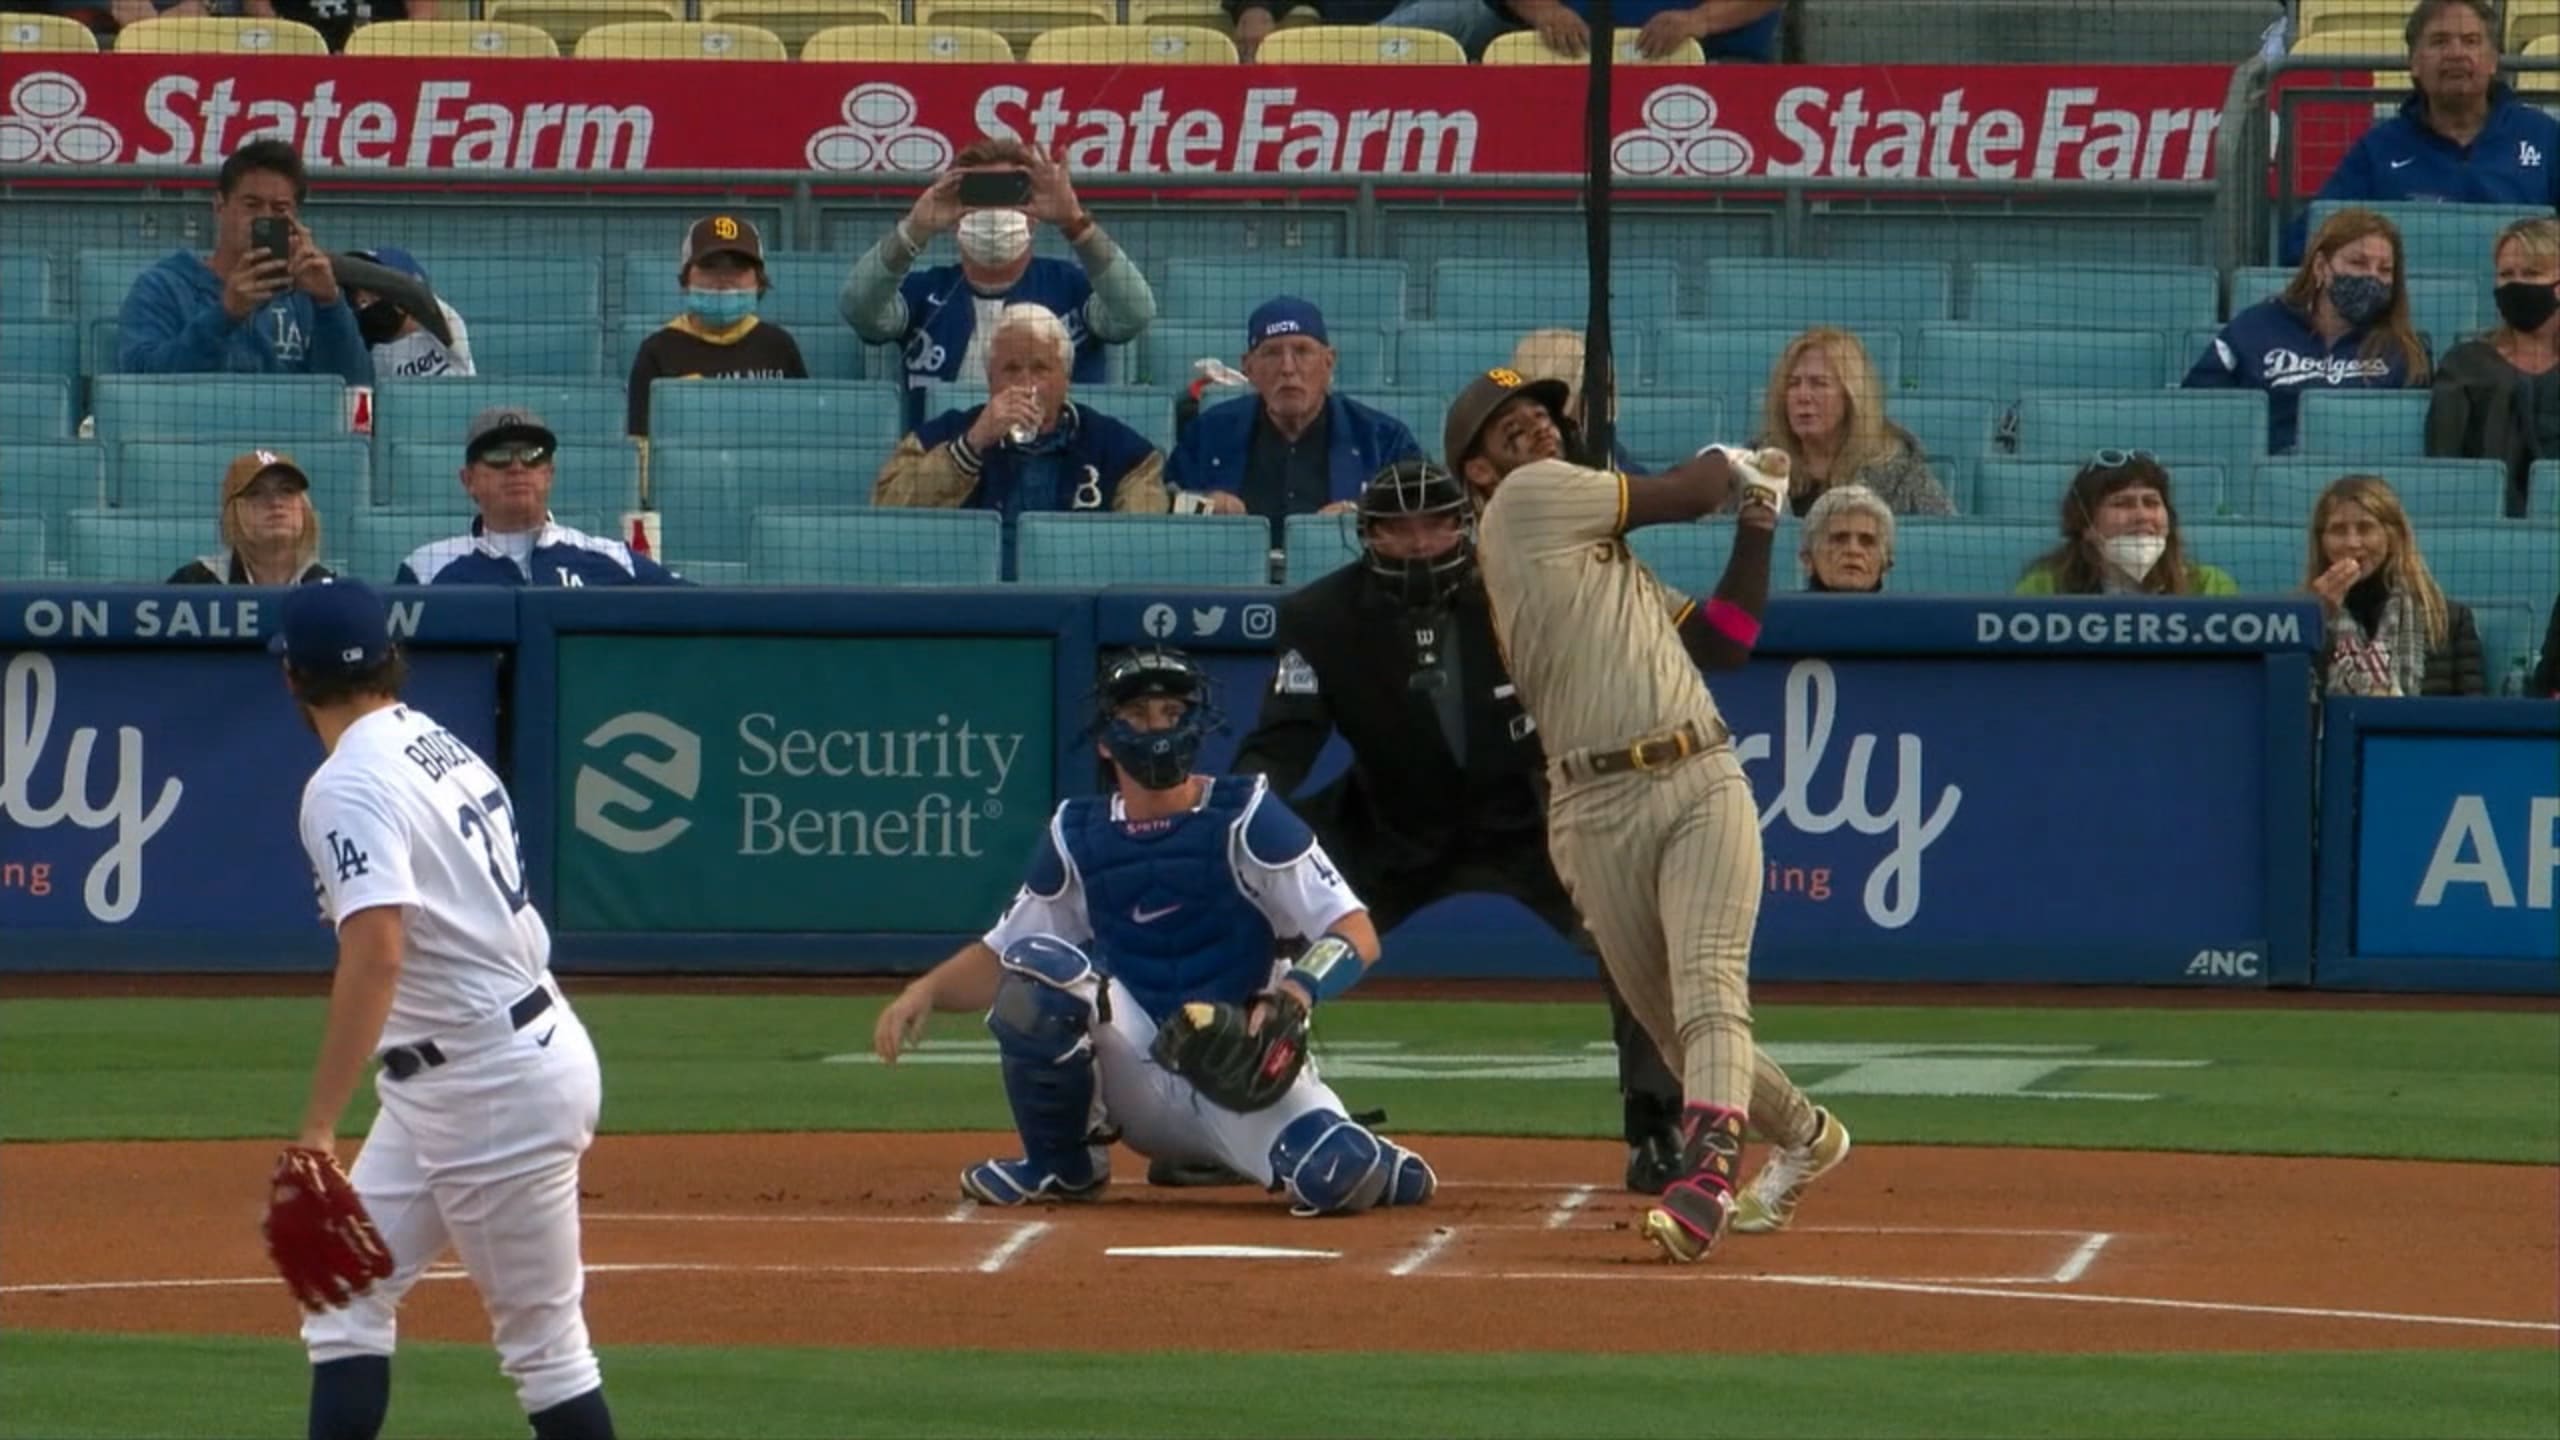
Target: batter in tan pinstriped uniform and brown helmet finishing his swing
{"x":1650,"y":816}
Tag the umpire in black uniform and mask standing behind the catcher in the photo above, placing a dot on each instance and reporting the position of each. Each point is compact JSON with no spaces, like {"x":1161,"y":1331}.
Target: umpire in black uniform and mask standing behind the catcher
{"x":1445,"y":793}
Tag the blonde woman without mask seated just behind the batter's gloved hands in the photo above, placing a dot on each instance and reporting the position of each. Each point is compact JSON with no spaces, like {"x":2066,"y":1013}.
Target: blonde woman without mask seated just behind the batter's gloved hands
{"x":1827,"y":411}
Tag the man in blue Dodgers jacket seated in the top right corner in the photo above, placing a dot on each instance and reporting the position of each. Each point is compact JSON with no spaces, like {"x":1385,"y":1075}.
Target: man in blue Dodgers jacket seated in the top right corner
{"x":2461,"y":137}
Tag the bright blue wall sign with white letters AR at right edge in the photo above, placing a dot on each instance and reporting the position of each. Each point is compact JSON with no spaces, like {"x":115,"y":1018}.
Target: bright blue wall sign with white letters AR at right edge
{"x":2459,"y":847}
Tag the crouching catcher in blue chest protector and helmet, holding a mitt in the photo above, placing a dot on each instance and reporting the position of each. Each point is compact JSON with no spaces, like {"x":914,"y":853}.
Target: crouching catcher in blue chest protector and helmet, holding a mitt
{"x":1133,"y":988}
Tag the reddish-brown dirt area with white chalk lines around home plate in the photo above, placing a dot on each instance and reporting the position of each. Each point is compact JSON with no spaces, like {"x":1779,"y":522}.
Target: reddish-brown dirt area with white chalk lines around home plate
{"x":864,"y":1241}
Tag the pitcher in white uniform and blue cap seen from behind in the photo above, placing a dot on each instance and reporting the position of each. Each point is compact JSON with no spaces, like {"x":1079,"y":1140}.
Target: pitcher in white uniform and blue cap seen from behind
{"x":488,"y":1083}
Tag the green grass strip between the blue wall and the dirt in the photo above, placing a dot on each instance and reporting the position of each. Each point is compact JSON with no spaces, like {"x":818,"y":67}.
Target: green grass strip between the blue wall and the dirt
{"x":2323,"y":1083}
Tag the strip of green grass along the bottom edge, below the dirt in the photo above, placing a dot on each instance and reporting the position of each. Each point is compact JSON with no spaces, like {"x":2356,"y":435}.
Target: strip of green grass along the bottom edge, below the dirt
{"x":204,"y":1387}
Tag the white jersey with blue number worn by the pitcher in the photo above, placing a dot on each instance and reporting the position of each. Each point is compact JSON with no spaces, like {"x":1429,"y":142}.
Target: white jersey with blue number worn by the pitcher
{"x":406,"y":814}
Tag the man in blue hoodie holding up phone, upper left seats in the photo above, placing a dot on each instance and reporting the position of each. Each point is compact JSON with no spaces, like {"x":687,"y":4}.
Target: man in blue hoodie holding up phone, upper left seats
{"x":244,"y":309}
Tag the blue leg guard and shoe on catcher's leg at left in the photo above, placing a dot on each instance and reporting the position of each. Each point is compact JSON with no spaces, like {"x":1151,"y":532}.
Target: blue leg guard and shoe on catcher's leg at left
{"x":1043,"y":1024}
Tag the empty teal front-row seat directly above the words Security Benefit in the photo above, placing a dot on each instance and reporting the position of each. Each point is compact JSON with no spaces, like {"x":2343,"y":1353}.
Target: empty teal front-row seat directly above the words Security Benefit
{"x":874,"y":547}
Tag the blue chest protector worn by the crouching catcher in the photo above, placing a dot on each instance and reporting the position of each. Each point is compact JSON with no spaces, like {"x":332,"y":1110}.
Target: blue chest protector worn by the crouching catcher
{"x":1164,"y":898}
